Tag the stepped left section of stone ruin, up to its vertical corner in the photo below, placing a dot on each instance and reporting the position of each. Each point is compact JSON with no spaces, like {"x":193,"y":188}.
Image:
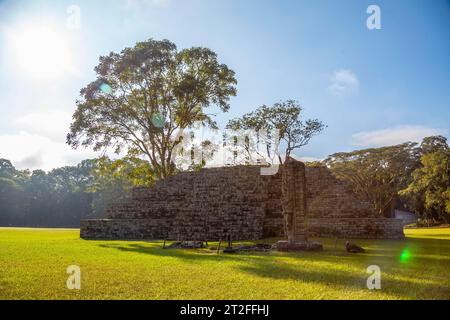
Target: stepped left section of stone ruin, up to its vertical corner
{"x":192,"y":205}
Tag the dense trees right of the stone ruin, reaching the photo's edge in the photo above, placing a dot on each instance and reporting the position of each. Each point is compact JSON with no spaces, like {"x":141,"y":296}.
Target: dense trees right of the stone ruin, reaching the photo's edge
{"x":410,"y":176}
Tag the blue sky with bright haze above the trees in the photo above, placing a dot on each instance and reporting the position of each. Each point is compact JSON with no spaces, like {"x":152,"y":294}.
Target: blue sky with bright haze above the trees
{"x":371,"y":87}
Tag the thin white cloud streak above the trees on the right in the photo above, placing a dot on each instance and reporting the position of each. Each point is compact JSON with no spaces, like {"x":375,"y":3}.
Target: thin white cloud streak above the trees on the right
{"x":393,"y":136}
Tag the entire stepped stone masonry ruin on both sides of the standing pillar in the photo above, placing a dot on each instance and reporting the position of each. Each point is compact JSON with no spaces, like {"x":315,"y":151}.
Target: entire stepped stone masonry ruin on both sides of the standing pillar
{"x":208,"y":204}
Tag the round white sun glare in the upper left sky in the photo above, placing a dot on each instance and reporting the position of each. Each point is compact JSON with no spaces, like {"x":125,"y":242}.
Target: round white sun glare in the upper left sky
{"x":42,"y":52}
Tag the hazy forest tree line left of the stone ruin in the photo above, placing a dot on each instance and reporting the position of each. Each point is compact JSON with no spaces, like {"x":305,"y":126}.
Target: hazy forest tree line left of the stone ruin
{"x":63,"y":196}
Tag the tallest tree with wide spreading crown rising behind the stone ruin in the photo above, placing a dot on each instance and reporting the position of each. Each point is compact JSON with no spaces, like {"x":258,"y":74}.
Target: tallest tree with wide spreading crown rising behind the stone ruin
{"x":146,"y":96}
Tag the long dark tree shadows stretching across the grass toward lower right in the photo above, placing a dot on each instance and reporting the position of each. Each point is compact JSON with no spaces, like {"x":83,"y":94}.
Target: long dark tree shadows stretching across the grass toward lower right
{"x":400,"y":279}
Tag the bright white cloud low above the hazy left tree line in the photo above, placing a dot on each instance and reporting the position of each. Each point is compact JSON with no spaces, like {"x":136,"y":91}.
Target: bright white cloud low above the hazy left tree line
{"x":32,"y":151}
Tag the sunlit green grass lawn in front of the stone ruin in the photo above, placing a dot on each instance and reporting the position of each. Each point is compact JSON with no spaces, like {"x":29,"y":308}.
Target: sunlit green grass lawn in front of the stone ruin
{"x":33,"y":265}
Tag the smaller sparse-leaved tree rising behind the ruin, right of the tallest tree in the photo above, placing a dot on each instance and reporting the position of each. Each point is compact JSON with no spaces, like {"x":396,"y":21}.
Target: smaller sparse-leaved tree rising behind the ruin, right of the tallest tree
{"x":276,"y":127}
